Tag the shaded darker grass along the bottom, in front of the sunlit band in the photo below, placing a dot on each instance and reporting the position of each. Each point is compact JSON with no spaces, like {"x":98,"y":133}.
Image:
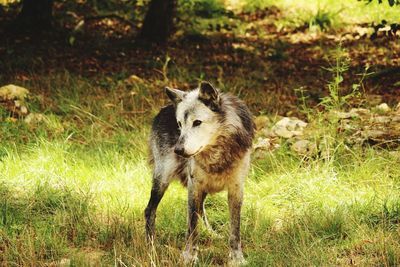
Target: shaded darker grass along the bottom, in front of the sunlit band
{"x":48,"y":225}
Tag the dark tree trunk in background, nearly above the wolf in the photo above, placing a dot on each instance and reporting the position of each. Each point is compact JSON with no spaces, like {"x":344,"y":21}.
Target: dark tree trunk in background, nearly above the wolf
{"x":158,"y":23}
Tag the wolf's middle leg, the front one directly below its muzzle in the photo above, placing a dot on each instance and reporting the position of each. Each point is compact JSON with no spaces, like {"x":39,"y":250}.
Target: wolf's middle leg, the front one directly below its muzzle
{"x":195,"y":199}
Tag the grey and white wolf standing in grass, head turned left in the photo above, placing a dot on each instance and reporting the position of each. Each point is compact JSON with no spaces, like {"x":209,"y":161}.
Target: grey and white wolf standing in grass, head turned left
{"x":203,"y":139}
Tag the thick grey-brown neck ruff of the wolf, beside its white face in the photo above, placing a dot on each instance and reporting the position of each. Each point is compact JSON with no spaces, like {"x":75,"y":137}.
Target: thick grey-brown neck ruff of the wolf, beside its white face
{"x":233,"y":139}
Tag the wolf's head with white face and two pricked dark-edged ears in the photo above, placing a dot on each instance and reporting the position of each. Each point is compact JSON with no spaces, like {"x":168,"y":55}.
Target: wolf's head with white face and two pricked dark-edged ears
{"x":198,"y":118}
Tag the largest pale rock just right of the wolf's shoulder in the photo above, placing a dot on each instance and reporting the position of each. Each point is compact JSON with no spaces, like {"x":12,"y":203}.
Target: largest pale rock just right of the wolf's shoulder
{"x":289,"y":127}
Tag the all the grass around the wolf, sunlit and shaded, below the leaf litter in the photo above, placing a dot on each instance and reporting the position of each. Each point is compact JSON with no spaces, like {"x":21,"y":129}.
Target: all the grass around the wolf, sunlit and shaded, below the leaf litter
{"x":73,"y":191}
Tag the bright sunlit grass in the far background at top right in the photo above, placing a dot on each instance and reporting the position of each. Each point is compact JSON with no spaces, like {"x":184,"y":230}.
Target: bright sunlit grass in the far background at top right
{"x":320,"y":15}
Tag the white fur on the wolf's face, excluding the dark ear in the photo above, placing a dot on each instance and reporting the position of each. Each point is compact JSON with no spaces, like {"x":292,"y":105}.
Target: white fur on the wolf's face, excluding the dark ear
{"x":196,"y":138}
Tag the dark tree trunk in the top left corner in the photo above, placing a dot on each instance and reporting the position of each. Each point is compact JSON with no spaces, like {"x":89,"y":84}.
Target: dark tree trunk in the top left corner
{"x":36,"y":15}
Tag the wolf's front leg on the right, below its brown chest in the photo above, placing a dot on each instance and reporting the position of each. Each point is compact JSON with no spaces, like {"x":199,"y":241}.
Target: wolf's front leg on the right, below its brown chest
{"x":235,"y":200}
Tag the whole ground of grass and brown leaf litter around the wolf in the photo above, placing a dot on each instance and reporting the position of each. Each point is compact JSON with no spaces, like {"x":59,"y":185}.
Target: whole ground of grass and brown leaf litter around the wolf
{"x":74,"y":185}
